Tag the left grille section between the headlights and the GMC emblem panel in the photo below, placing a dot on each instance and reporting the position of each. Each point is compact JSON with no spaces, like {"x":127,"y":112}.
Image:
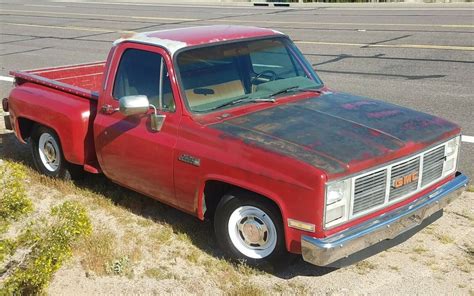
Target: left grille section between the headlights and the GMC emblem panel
{"x":369,"y":191}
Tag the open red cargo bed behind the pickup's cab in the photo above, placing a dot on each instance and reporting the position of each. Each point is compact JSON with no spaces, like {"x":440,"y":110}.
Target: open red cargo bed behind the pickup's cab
{"x":82,"y":80}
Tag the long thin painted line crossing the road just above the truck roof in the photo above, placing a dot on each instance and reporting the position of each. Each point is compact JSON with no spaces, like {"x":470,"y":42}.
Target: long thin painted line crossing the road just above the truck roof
{"x":237,"y":20}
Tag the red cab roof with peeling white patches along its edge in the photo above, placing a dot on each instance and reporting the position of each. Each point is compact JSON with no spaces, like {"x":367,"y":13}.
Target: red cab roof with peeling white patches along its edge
{"x":176,"y":39}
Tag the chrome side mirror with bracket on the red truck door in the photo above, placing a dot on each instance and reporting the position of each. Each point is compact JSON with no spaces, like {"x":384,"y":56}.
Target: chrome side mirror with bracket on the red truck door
{"x":135,"y":105}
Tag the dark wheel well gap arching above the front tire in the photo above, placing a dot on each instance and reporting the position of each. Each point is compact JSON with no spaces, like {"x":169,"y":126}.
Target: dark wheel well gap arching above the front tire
{"x":215,"y":190}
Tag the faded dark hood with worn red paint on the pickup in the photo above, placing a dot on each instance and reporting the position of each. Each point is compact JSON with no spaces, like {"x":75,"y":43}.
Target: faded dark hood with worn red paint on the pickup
{"x":336,"y":131}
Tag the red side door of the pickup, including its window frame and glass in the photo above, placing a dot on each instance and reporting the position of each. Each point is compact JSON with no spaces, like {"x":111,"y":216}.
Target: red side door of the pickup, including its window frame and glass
{"x":130,"y":153}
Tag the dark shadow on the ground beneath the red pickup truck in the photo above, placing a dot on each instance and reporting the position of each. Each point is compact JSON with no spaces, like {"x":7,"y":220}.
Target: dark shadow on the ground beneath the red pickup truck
{"x":200,"y":233}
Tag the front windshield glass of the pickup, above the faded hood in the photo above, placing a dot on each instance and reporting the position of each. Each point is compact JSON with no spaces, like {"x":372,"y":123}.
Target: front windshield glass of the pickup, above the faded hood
{"x":215,"y":75}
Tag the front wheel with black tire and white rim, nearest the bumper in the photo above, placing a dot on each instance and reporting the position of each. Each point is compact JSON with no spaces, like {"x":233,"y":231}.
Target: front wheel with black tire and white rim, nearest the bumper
{"x":232,"y":239}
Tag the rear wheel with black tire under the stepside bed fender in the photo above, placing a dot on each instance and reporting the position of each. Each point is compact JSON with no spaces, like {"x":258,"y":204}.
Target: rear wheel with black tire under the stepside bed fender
{"x":59,"y":168}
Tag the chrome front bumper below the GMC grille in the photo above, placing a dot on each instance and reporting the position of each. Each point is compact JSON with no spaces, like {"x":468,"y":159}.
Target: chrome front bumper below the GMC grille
{"x":389,"y":225}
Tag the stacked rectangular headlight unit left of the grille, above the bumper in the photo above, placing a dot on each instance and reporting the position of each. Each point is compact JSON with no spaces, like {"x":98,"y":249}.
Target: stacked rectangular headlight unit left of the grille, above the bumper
{"x":337,"y":202}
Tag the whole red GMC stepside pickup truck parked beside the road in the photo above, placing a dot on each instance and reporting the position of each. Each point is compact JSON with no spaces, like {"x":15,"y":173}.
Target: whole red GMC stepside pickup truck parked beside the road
{"x":232,"y":123}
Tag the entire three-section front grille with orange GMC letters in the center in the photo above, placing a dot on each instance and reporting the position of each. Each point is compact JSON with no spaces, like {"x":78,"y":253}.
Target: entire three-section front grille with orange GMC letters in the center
{"x":371,"y":190}
